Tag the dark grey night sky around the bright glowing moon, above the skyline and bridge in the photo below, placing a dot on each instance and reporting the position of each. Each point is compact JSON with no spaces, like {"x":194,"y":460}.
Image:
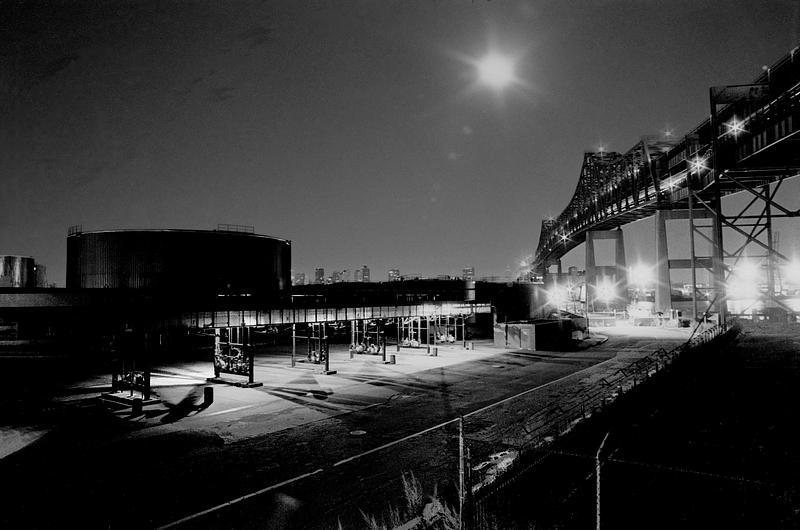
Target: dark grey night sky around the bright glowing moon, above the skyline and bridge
{"x":356,"y":129}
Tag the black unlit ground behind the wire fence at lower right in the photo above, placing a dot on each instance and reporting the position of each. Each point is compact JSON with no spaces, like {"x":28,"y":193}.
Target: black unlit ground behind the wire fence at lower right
{"x":713,"y":443}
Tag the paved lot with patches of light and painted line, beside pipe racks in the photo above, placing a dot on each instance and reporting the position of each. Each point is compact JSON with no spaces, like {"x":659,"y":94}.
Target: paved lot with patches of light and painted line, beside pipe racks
{"x":101,"y":468}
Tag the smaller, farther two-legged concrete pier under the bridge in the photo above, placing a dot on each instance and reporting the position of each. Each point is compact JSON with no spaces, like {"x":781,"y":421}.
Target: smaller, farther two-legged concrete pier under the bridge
{"x":606,"y":285}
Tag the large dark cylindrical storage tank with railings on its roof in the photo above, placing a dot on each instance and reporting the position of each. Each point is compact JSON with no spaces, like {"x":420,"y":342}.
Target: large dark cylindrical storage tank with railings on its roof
{"x":194,"y":261}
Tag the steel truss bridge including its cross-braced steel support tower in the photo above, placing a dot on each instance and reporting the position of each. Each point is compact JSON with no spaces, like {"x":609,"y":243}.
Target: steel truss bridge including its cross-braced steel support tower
{"x":750,"y":144}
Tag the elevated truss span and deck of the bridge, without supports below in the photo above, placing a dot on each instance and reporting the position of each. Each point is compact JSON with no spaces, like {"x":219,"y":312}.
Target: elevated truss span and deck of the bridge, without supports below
{"x":615,"y":189}
